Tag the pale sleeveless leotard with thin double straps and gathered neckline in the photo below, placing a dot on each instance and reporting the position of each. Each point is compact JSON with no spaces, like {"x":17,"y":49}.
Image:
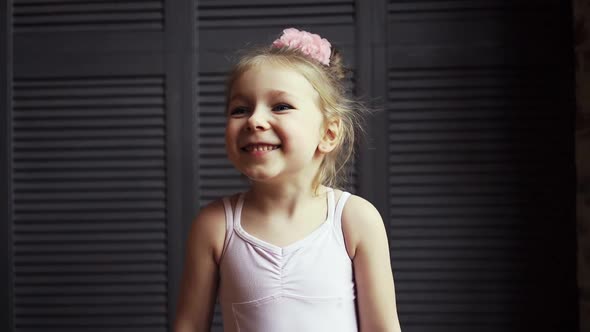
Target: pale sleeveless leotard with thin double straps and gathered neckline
{"x":305,"y":286}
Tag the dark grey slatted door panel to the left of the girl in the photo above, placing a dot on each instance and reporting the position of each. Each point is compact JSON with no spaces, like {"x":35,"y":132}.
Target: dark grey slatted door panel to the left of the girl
{"x":97,"y":105}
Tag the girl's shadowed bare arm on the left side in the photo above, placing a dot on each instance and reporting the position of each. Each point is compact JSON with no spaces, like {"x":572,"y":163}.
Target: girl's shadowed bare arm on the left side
{"x":198,"y":289}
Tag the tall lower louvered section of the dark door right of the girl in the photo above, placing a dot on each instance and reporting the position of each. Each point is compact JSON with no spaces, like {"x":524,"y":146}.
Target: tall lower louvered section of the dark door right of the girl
{"x":457,"y":155}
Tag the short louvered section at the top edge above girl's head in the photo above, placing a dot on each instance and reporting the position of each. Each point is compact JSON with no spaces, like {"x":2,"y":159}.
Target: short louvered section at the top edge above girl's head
{"x":263,"y":13}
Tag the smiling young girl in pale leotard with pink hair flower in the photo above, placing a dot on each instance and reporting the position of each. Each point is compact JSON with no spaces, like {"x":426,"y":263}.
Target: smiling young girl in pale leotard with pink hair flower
{"x":291,"y":253}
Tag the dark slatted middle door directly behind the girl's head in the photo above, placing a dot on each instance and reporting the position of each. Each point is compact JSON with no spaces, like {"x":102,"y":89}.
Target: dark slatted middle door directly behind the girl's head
{"x":228,"y":25}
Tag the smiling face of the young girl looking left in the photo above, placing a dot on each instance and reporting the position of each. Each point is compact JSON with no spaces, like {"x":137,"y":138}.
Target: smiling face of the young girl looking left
{"x":274,"y":124}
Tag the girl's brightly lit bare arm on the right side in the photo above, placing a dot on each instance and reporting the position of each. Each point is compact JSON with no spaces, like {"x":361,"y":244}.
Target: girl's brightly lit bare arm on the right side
{"x":367,"y":244}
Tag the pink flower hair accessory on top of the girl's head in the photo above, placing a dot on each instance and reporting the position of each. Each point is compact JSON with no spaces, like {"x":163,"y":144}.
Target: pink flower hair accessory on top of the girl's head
{"x":310,"y":44}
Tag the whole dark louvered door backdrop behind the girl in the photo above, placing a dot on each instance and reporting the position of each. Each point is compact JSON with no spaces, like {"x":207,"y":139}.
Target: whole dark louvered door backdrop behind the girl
{"x":113,"y":139}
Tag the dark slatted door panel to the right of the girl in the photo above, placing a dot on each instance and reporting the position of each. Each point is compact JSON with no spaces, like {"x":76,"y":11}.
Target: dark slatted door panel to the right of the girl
{"x":480,"y":164}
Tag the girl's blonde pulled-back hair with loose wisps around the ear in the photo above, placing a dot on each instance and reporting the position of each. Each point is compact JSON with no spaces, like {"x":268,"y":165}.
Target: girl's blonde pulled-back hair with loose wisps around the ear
{"x":336,"y":102}
